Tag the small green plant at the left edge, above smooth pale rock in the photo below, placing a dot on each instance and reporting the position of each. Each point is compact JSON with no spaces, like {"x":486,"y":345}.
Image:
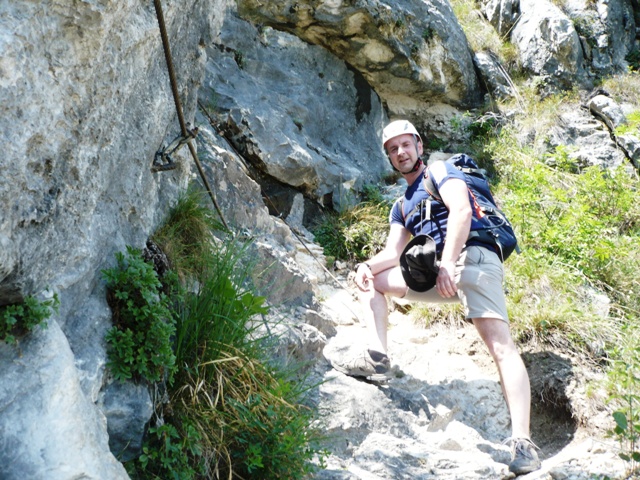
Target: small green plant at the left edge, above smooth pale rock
{"x":19,"y":319}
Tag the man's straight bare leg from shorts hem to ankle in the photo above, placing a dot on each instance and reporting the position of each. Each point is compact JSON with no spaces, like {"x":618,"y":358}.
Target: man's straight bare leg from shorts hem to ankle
{"x":513,"y":374}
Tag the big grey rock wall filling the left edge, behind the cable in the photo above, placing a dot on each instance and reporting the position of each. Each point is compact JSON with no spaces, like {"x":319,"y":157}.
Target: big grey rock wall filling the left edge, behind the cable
{"x":85,"y":103}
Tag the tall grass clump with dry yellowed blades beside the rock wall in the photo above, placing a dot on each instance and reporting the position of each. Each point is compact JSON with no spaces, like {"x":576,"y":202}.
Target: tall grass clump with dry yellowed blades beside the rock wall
{"x":231,"y":412}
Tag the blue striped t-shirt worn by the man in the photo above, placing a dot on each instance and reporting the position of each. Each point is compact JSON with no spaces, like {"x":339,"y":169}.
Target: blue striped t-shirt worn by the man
{"x":413,"y":218}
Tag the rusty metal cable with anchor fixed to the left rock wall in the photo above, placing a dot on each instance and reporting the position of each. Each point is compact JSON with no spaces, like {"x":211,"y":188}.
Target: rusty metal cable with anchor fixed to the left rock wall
{"x":187,"y":135}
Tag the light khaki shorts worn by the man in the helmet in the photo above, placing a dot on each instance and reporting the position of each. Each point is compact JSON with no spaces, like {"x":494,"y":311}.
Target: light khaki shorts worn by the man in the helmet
{"x":479,"y":277}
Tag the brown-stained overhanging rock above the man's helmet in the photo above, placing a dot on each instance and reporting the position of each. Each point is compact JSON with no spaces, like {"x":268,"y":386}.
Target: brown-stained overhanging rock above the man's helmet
{"x":414,"y":54}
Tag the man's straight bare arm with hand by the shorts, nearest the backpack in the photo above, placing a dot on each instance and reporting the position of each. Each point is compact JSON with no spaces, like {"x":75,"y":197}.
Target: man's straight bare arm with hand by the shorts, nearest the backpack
{"x":455,"y":196}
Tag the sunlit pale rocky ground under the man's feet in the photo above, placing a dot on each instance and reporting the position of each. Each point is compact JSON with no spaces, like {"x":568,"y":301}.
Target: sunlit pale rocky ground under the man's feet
{"x":443,"y":415}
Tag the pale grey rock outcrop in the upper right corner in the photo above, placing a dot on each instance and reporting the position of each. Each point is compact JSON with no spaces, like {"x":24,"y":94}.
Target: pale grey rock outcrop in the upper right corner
{"x":567,"y":42}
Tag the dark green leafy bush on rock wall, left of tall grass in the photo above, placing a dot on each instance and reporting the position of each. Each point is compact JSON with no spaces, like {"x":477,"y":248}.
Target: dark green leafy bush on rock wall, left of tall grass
{"x":139,"y":343}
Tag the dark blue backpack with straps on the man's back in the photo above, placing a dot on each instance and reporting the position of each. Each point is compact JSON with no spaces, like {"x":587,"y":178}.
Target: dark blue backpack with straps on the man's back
{"x":489,"y":224}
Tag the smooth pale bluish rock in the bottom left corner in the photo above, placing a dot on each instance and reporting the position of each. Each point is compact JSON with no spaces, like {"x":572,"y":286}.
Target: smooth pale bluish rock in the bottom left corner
{"x":49,"y":427}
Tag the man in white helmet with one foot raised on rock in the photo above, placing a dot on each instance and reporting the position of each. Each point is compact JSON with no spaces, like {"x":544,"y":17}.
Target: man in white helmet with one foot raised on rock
{"x":469,"y":273}
